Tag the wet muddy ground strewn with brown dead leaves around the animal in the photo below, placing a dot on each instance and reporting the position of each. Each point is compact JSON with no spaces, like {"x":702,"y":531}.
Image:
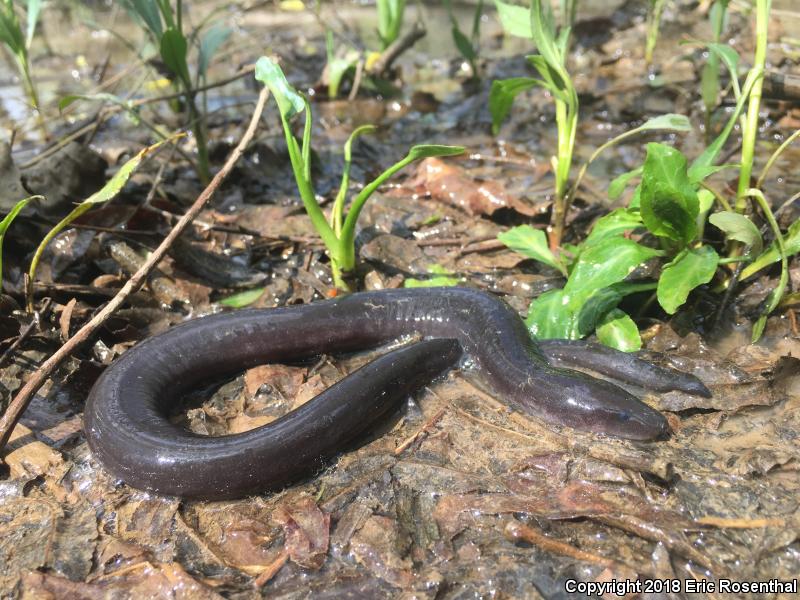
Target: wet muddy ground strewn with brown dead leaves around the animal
{"x":457,"y":496}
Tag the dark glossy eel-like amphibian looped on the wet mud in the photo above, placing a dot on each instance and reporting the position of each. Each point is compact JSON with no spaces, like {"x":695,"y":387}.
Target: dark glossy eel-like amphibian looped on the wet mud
{"x":128,"y":431}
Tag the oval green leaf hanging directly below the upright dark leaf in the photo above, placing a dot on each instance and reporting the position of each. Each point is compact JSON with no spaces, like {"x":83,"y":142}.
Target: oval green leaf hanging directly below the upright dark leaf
{"x":691,"y":268}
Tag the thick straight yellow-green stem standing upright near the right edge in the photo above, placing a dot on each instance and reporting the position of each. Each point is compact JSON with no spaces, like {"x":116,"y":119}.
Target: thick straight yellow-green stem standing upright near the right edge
{"x":754,"y":104}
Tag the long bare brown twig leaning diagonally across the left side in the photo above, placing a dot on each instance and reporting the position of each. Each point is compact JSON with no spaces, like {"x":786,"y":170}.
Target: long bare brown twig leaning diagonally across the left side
{"x":23,"y":397}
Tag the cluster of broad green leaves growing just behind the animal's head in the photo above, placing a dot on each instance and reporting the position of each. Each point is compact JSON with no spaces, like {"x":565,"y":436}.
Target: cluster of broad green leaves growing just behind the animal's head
{"x":670,"y":206}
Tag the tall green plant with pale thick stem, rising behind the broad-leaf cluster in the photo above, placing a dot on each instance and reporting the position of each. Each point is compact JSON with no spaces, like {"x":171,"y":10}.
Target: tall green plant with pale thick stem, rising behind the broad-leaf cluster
{"x":538,"y":25}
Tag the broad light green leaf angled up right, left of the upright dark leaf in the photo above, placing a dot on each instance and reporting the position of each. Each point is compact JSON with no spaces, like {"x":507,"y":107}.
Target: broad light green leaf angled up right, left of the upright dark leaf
{"x":607,"y":262}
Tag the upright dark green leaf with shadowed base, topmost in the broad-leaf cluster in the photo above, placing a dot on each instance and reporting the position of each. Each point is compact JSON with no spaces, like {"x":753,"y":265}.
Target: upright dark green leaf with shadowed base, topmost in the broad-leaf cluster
{"x":669,"y":203}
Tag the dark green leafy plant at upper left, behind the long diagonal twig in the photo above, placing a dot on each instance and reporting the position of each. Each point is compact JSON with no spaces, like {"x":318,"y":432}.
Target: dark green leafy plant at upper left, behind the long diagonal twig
{"x":164,"y":26}
